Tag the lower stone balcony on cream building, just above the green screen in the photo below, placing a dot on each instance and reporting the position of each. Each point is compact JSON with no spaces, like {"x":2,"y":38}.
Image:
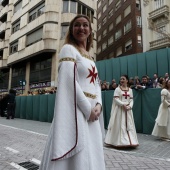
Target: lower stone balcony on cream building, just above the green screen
{"x":160,"y":43}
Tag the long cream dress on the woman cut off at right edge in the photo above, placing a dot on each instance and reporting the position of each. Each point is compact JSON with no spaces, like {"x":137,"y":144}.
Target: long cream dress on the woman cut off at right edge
{"x":162,"y":122}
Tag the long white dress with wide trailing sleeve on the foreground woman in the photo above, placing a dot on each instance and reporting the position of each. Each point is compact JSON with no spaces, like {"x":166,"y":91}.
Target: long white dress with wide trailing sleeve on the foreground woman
{"x":73,"y":142}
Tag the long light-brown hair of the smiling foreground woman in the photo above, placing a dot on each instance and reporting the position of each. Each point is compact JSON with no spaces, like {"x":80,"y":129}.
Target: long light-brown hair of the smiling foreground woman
{"x":70,"y":38}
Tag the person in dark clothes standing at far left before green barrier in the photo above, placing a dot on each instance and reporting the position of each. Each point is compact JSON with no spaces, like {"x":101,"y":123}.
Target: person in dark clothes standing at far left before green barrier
{"x":11,"y":104}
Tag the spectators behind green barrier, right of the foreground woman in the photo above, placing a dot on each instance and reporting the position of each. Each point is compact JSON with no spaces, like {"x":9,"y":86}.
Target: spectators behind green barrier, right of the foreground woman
{"x":137,"y":83}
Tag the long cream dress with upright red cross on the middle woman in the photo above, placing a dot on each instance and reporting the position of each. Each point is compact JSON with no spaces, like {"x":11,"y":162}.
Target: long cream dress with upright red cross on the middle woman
{"x":121,"y":129}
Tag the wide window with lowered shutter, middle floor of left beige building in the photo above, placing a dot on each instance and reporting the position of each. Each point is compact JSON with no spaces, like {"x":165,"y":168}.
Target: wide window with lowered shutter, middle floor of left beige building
{"x":34,"y":37}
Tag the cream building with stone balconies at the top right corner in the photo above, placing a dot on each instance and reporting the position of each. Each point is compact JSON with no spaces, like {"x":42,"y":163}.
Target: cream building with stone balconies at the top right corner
{"x":156,"y":25}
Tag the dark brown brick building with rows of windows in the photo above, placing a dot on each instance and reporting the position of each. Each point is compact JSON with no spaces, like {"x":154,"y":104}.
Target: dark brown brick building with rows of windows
{"x":119,"y":30}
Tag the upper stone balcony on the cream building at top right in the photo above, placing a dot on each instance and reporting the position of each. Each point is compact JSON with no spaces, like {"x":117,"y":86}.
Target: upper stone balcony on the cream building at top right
{"x":160,"y":12}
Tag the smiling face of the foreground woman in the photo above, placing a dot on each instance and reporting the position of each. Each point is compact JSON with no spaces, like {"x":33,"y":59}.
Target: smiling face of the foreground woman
{"x":81,"y":29}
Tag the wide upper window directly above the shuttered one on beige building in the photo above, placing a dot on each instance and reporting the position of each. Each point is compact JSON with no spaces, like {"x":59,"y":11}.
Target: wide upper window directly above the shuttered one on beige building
{"x":36,"y":12}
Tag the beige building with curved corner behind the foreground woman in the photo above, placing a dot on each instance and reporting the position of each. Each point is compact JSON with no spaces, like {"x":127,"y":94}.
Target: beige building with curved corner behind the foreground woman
{"x":32,"y":33}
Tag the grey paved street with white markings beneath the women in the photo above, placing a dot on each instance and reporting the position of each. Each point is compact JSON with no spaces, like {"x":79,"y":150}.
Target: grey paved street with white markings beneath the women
{"x":22,"y":143}
